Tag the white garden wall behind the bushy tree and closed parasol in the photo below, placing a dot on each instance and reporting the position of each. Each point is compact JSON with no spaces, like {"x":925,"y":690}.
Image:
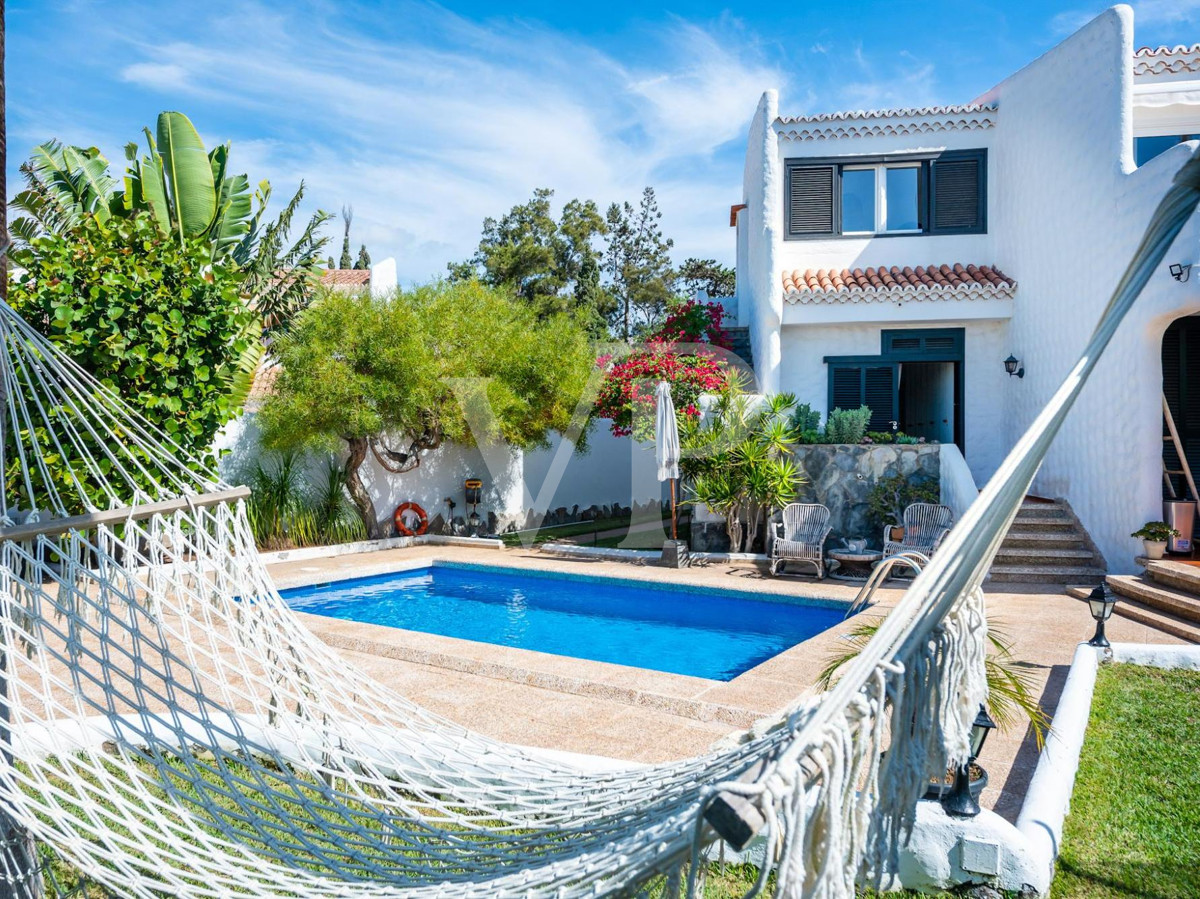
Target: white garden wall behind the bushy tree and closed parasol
{"x":615,"y":470}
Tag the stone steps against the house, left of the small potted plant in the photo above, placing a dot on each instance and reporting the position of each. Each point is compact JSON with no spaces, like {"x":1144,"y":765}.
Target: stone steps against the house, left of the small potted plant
{"x":1047,"y":546}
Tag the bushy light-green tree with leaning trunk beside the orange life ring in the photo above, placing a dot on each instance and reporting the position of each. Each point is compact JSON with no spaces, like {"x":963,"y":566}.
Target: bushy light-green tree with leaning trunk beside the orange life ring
{"x":381,"y":376}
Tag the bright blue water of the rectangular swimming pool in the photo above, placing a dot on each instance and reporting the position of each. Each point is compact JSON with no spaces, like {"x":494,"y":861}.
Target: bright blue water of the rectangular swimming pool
{"x":686,"y":632}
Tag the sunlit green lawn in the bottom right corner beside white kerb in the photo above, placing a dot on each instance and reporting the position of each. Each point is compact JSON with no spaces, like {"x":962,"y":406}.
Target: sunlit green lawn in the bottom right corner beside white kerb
{"x":1135,"y":823}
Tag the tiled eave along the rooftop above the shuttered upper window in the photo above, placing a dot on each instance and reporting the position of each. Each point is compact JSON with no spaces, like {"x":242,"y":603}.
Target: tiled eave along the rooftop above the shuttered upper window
{"x":915,"y":121}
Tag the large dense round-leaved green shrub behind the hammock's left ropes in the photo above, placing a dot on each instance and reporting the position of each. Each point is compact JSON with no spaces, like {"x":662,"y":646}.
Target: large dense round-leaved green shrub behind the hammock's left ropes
{"x":158,"y":321}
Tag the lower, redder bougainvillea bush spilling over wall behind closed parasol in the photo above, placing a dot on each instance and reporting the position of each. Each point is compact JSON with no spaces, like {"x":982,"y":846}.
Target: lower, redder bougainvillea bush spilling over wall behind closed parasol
{"x":627,"y":395}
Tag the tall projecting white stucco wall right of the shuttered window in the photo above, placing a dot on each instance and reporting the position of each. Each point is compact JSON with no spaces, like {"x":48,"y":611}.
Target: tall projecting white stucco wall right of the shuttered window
{"x":1067,"y":225}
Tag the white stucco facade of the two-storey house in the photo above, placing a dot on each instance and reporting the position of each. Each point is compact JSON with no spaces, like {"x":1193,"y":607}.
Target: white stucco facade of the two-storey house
{"x":1066,"y":209}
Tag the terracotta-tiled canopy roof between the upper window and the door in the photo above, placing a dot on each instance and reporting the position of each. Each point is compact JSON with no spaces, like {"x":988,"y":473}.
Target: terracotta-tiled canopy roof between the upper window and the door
{"x":897,"y":285}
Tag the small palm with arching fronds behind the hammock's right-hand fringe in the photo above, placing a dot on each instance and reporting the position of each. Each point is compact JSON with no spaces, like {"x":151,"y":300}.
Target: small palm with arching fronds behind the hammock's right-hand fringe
{"x":1011,"y":697}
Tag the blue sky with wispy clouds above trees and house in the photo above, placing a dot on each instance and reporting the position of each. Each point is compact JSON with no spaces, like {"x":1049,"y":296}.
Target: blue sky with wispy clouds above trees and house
{"x":428,"y":118}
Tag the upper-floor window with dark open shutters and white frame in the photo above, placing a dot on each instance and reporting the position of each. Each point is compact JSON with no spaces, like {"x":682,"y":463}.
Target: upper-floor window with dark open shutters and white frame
{"x":940,"y":194}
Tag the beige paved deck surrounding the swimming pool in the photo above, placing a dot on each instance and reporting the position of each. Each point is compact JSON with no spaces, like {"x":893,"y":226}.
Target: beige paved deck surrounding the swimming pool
{"x":640,"y":716}
